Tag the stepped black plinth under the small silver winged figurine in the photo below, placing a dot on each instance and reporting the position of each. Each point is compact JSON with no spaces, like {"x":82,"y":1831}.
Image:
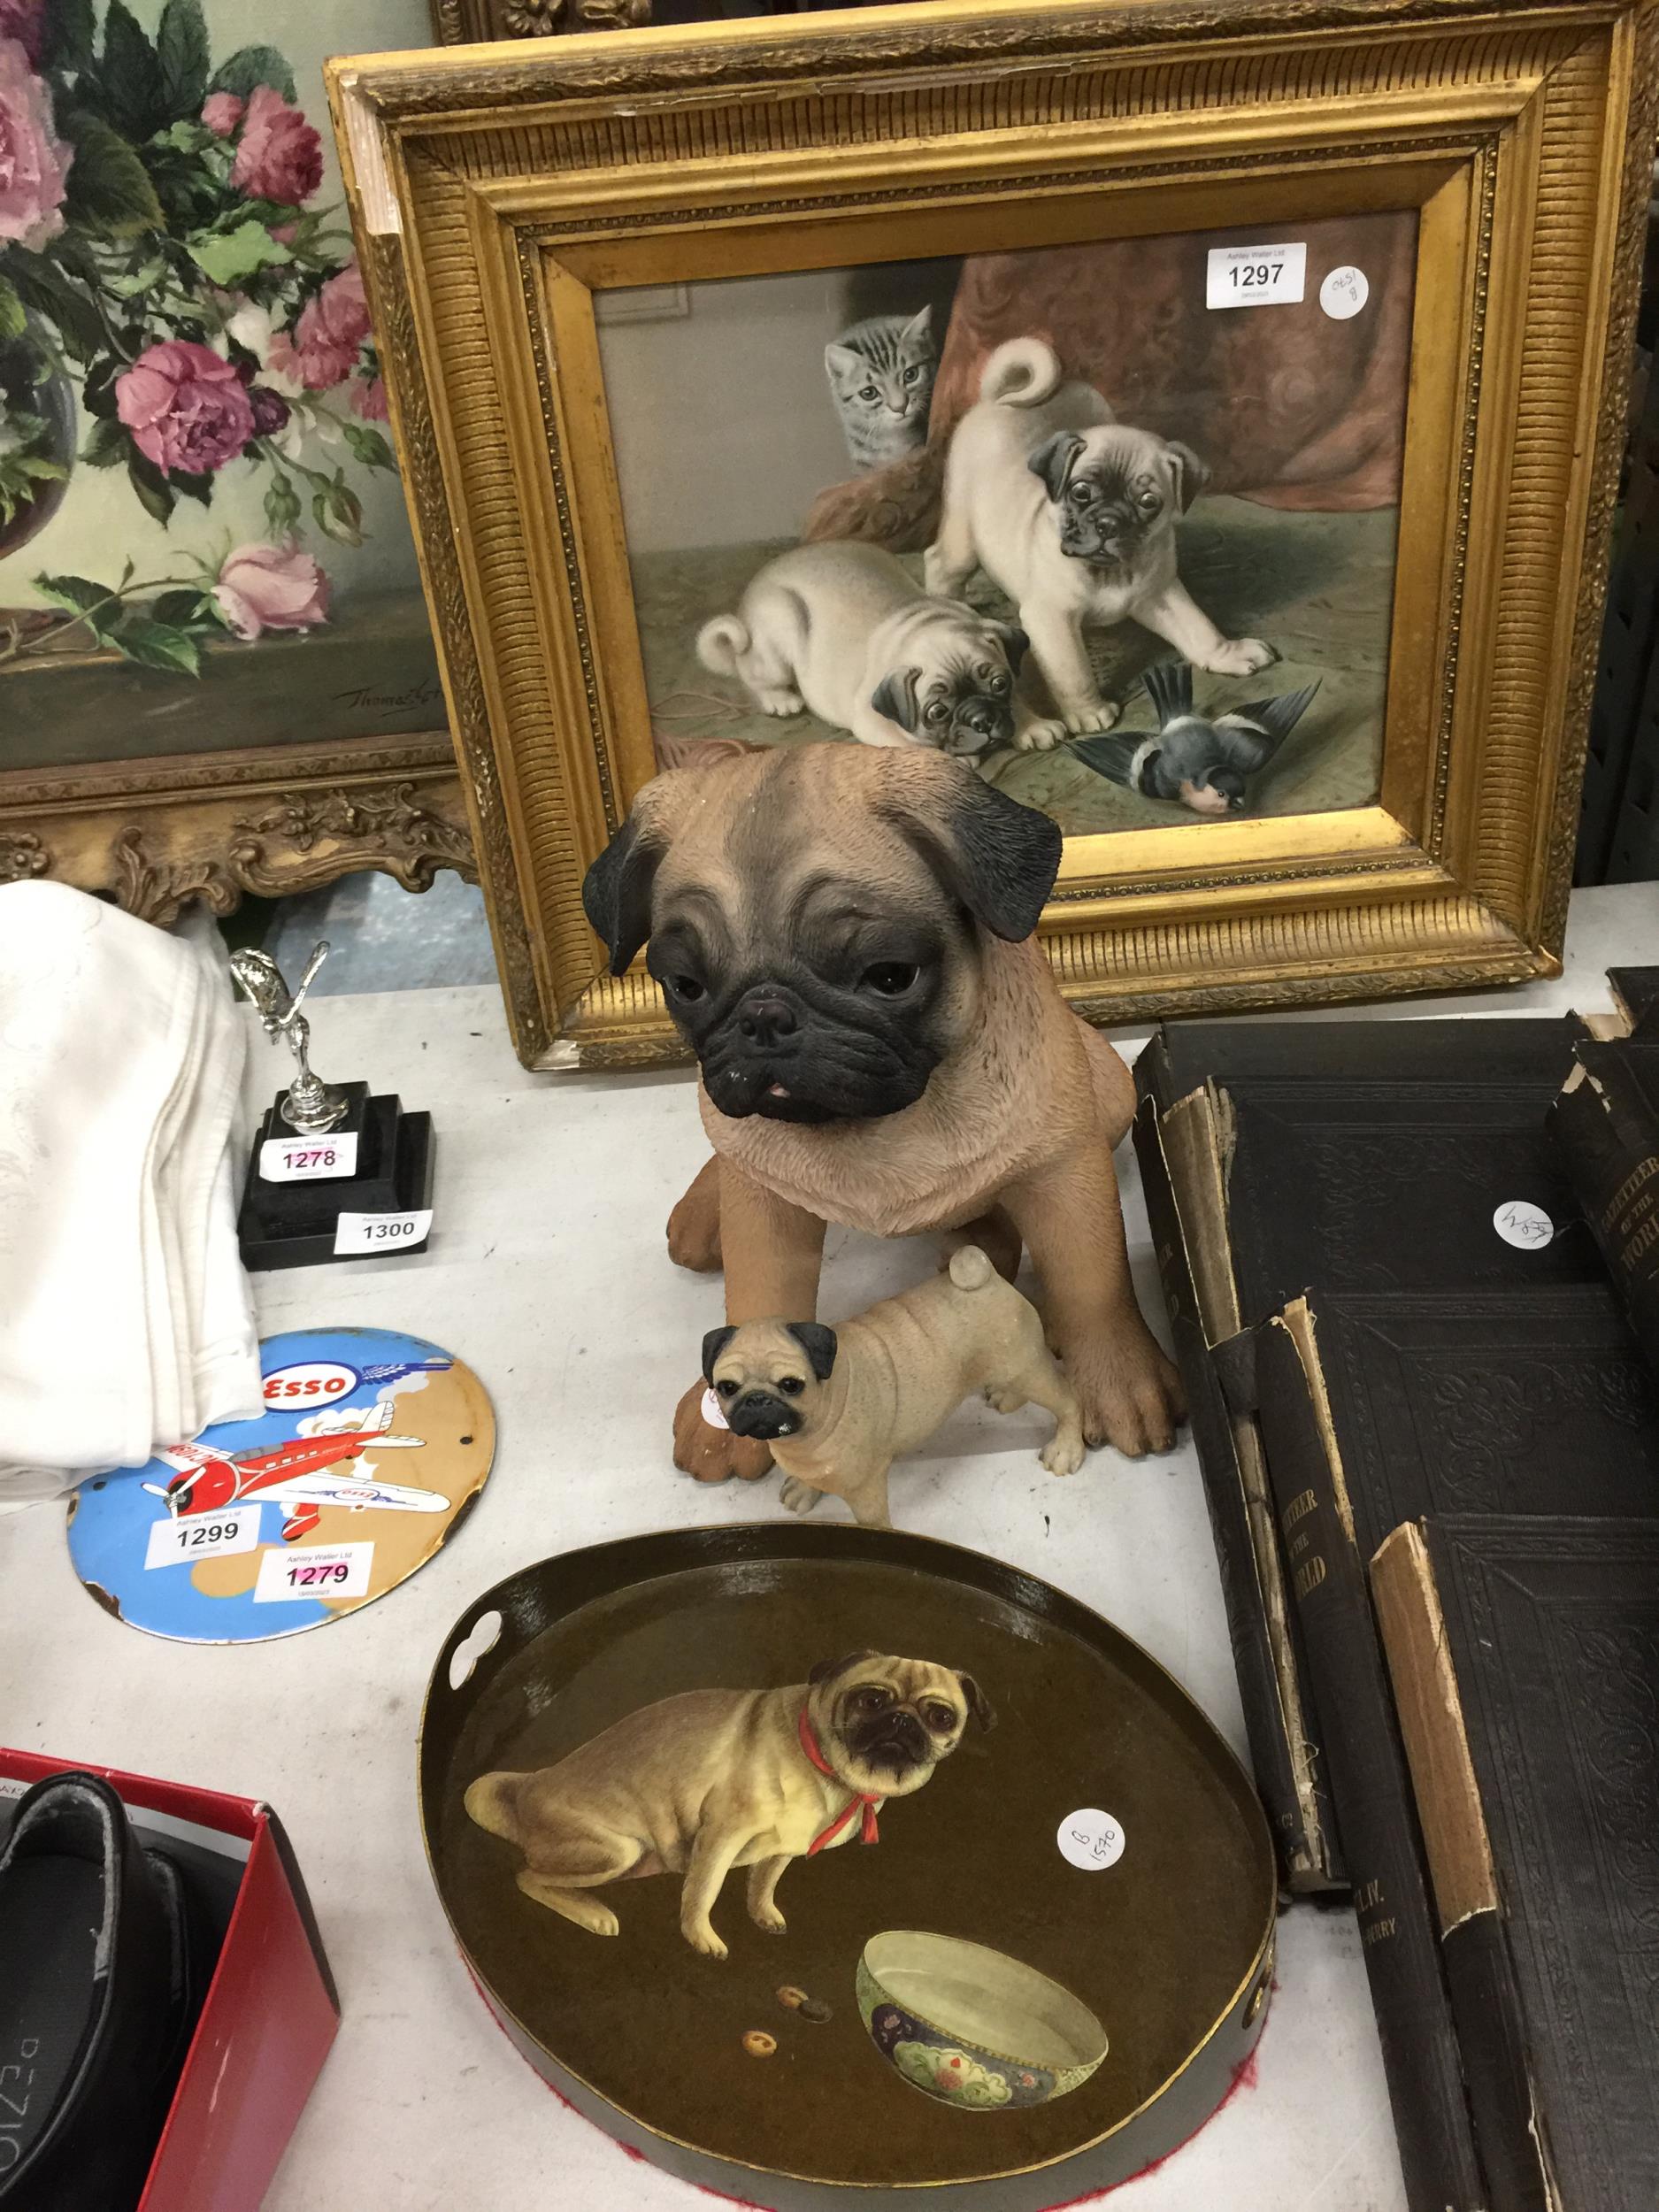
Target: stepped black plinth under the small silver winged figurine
{"x":293,"y":1224}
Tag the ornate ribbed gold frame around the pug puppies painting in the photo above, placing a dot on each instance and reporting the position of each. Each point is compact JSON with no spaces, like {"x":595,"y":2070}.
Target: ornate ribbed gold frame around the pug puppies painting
{"x":499,"y":189}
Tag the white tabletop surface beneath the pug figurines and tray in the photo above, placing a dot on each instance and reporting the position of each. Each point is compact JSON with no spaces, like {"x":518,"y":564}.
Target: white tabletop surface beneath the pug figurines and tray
{"x":547,"y":1273}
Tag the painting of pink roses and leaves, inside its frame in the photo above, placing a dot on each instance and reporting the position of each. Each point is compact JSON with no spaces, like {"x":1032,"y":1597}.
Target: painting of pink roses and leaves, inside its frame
{"x":194,"y":448}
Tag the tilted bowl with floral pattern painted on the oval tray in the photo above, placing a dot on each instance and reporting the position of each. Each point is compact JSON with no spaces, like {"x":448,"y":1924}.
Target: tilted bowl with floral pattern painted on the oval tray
{"x":974,"y":2027}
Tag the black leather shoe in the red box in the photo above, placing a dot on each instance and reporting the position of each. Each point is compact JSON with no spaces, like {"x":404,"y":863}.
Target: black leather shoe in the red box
{"x":101,"y":1981}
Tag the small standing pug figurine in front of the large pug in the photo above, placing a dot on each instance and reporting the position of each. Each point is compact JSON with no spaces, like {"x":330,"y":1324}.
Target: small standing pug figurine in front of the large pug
{"x":842,"y":1406}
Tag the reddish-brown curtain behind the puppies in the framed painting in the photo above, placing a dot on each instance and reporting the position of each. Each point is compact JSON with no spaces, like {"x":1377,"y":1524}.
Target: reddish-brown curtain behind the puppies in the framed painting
{"x":1288,"y":406}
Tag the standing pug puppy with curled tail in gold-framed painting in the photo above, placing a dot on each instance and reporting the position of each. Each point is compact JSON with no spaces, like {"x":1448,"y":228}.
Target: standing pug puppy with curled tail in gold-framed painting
{"x":1074,"y":517}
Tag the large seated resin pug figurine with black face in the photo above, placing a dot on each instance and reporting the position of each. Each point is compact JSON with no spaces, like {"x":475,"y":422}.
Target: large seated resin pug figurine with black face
{"x":846,"y":939}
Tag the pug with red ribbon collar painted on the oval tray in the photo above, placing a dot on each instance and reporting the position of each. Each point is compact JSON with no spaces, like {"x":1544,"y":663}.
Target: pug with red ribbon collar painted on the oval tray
{"x":720,"y":1780}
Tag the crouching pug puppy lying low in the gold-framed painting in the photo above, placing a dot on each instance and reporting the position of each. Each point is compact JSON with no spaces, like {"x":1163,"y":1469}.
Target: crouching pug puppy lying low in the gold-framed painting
{"x":844,"y":632}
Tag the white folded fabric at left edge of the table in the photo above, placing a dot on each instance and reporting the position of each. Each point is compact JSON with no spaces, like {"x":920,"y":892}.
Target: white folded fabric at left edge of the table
{"x":125,"y":1313}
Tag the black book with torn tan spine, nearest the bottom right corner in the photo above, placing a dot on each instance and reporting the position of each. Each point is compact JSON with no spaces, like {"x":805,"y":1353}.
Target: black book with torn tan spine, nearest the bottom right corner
{"x":1525,"y":1658}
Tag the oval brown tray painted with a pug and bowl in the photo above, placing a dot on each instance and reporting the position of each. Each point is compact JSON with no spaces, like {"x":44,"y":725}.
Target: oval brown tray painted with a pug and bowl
{"x":1171,"y":1945}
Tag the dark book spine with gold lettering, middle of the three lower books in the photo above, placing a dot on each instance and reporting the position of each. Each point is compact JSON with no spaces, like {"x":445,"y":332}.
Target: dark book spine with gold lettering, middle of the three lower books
{"x":1368,"y":1777}
